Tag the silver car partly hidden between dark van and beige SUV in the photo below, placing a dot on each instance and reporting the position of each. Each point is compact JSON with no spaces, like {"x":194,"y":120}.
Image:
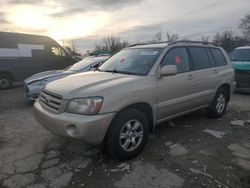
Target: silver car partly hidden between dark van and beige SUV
{"x":33,"y":84}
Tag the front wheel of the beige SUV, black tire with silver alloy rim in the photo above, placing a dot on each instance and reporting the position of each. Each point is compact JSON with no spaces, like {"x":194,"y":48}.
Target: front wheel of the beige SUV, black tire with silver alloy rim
{"x":128,"y":134}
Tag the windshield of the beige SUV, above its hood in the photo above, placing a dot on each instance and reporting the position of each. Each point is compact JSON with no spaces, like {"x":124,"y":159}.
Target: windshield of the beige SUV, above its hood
{"x":132,"y":61}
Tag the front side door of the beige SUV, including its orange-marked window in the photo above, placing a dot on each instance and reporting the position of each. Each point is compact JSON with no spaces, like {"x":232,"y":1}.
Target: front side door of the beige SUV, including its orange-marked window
{"x":175,"y":92}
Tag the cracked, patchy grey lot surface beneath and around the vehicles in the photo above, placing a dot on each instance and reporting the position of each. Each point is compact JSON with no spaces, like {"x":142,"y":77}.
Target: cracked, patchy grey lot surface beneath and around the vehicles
{"x":192,"y":151}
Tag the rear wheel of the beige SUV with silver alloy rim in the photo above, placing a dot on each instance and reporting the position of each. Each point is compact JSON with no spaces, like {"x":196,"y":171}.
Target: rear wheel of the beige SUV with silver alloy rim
{"x":219,"y":104}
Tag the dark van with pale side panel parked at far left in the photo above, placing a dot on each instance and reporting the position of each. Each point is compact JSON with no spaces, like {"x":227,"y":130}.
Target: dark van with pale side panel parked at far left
{"x":22,"y":55}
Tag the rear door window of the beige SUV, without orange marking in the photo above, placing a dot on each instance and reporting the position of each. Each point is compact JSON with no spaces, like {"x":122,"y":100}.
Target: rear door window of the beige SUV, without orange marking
{"x":199,"y":58}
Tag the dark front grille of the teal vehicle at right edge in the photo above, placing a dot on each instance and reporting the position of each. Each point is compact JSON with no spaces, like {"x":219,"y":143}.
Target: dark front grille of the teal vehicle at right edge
{"x":242,"y":78}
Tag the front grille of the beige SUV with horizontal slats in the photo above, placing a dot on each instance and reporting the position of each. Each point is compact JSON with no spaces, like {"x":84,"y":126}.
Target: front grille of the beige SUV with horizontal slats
{"x":50,"y":100}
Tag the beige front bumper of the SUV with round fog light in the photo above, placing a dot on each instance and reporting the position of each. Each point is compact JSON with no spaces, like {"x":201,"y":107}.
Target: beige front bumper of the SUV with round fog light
{"x":90,"y":129}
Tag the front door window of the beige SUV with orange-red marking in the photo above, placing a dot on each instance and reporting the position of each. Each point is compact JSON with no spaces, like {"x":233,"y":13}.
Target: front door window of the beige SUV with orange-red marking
{"x":178,"y":57}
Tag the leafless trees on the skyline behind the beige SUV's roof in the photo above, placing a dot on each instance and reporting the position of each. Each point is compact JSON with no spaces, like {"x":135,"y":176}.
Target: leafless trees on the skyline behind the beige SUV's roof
{"x":226,"y":39}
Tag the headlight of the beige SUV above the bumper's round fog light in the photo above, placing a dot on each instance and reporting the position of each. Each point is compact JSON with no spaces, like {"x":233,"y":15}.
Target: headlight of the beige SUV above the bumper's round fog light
{"x":88,"y":106}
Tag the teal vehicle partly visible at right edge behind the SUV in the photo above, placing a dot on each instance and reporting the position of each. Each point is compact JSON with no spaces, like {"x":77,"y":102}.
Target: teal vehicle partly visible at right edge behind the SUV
{"x":240,"y":58}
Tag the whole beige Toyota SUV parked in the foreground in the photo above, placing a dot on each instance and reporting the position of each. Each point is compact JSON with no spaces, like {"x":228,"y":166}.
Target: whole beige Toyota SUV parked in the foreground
{"x":135,"y":90}
